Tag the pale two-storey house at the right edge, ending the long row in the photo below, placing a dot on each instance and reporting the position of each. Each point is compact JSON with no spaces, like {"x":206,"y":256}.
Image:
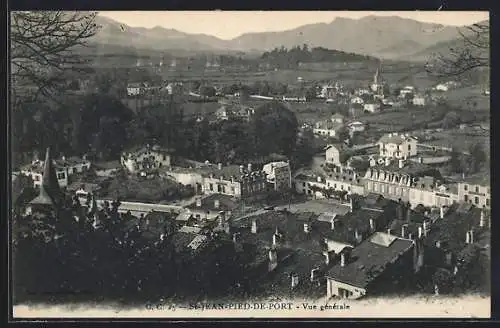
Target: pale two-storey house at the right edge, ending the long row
{"x":475,"y":190}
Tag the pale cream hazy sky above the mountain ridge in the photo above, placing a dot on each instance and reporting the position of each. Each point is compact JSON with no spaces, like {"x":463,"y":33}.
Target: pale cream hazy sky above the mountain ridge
{"x":230,"y":24}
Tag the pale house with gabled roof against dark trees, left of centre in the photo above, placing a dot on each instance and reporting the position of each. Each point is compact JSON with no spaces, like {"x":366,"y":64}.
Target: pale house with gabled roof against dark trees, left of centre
{"x":145,"y":158}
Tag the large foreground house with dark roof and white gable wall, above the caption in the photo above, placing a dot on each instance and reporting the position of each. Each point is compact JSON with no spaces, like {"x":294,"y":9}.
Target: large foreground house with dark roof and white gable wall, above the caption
{"x":366,"y":270}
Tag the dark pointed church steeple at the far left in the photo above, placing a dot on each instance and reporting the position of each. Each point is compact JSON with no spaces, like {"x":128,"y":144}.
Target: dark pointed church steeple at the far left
{"x":50,"y":192}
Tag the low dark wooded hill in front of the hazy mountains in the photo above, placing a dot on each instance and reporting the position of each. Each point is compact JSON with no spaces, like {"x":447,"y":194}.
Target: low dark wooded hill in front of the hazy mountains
{"x":291,"y":58}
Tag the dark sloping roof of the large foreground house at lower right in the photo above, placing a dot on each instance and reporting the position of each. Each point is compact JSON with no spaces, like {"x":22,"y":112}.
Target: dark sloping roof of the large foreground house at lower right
{"x":368,"y":260}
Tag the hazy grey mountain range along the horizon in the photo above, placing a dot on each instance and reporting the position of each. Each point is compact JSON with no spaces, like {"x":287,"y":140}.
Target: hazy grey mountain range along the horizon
{"x":389,"y":37}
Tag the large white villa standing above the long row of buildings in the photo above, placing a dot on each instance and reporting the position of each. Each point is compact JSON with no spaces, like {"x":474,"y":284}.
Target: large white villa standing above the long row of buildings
{"x":400,"y":146}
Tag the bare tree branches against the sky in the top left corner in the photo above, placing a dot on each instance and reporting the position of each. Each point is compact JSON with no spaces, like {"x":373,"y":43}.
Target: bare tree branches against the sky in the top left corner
{"x":42,"y":48}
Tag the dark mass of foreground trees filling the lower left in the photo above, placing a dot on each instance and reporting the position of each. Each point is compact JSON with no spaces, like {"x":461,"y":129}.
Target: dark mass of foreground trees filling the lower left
{"x":117,"y":261}
